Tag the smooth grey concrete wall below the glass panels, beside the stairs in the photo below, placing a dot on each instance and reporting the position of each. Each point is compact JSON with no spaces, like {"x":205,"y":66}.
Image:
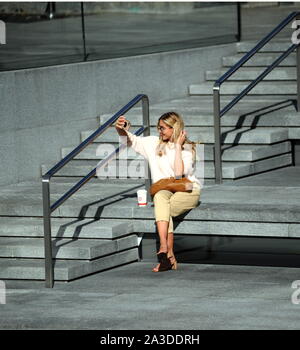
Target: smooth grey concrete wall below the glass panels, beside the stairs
{"x":44,"y":109}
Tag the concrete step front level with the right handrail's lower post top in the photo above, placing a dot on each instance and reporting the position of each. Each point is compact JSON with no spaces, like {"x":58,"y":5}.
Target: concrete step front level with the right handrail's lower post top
{"x":263,"y":88}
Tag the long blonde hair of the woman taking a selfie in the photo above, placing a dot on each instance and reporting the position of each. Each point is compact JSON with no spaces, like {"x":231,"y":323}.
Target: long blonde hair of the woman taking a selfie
{"x":175,"y":121}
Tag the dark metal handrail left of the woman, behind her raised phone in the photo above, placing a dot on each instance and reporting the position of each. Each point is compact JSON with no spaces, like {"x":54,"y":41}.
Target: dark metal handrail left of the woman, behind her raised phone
{"x":48,"y":208}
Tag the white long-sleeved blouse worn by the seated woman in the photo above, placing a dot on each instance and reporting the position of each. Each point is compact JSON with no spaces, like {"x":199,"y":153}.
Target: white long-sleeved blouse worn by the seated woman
{"x":163,"y":166}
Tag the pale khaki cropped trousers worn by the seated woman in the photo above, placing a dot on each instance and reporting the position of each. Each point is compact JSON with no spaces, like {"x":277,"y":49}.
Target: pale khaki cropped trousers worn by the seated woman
{"x":168,"y":205}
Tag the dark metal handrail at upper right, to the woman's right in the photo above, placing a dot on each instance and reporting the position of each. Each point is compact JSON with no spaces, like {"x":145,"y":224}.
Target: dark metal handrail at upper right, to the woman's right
{"x":218,"y":113}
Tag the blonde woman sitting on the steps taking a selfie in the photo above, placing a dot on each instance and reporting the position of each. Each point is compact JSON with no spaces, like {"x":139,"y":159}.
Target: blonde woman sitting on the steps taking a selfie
{"x":169,"y":155}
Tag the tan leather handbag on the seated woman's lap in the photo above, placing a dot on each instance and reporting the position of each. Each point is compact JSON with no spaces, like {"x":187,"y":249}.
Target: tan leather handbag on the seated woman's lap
{"x":171,"y":184}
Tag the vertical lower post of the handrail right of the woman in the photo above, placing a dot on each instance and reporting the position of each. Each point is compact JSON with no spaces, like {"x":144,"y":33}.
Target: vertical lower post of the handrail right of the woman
{"x":217,"y":132}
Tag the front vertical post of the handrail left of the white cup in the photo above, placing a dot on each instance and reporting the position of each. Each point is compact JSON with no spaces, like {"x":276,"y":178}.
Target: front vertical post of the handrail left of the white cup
{"x":49,"y":268}
